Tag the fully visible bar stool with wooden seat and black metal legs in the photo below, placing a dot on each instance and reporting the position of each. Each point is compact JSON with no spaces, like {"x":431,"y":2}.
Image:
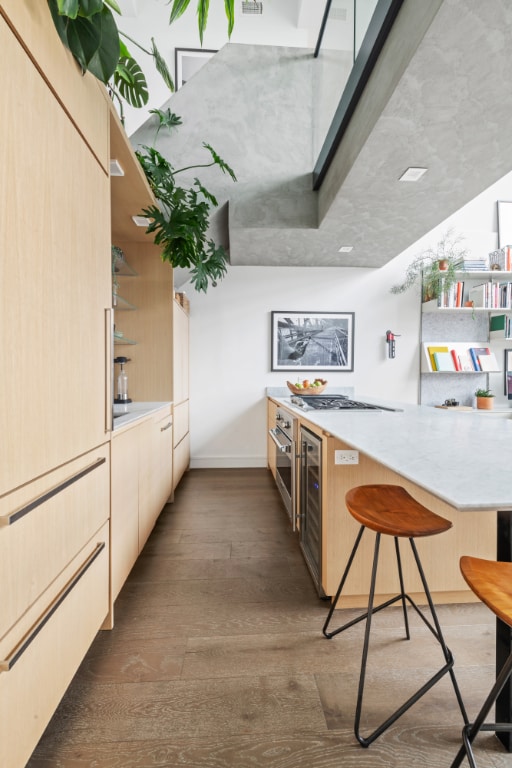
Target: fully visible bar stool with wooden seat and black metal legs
{"x":392,"y":511}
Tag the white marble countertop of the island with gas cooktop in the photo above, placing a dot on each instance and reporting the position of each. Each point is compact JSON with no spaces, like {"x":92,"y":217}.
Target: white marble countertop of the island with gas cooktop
{"x":463,"y":458}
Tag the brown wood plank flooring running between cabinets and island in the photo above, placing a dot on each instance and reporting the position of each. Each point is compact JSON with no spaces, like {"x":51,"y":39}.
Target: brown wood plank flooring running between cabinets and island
{"x":217,"y":658}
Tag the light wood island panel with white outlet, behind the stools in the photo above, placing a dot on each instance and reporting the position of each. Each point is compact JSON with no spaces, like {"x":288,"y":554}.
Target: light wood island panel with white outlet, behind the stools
{"x":473,"y":533}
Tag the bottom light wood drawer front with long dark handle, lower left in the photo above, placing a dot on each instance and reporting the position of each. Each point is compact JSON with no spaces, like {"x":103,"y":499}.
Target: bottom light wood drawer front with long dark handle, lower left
{"x":30,"y":690}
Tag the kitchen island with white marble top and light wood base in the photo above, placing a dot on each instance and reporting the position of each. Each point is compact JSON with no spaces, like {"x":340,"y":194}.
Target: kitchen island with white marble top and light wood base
{"x":458,"y":464}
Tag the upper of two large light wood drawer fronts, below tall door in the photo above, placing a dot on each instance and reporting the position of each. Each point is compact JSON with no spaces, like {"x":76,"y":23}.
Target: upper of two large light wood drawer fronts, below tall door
{"x":43,"y":526}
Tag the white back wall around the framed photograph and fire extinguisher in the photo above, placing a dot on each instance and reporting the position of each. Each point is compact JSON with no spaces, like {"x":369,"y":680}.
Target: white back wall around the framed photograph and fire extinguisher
{"x":230,"y":337}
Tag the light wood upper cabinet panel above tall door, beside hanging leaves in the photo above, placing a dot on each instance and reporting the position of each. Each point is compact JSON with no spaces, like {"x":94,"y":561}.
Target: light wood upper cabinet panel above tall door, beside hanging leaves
{"x":84,"y":98}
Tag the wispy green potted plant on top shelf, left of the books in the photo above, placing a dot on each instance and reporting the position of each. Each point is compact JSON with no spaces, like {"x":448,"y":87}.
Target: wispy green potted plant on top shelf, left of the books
{"x":425,"y":268}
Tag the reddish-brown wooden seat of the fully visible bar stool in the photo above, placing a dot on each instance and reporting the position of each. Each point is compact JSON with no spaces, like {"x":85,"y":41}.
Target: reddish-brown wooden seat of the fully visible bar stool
{"x":390,"y":509}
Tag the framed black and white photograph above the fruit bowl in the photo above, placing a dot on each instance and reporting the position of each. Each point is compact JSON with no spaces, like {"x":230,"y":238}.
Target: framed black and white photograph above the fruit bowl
{"x":321,"y":341}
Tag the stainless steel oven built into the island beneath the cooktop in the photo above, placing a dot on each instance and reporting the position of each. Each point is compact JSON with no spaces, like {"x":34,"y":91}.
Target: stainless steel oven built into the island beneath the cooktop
{"x":284,"y":436}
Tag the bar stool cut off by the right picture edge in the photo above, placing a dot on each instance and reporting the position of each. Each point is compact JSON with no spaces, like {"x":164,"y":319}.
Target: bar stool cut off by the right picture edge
{"x":492,"y":583}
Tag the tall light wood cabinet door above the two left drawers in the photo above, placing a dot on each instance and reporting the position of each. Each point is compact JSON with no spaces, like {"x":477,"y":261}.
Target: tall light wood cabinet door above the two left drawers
{"x":54,"y":278}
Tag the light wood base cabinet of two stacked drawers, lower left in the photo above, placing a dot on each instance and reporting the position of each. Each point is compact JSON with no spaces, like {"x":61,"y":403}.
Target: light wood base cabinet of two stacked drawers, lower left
{"x":54,"y":554}
